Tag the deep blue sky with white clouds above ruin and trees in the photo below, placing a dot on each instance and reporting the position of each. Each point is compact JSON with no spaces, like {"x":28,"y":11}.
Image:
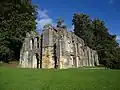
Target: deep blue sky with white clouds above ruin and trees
{"x":50,"y":10}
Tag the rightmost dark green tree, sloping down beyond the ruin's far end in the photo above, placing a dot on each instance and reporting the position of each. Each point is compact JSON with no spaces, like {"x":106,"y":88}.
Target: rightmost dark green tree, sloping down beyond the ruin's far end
{"x":105,"y":43}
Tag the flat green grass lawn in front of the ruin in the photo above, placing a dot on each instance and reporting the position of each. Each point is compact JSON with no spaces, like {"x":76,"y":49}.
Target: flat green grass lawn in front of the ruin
{"x":70,"y":79}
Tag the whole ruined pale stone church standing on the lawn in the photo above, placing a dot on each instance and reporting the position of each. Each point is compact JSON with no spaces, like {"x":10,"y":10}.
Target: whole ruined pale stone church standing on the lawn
{"x":56,"y":48}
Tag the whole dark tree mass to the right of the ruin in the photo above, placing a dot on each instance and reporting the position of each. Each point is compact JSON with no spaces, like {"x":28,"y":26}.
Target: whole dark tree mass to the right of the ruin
{"x":96,"y":35}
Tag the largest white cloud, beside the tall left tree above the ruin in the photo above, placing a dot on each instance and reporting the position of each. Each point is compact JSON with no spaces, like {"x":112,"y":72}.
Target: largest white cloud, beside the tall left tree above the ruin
{"x":42,"y":19}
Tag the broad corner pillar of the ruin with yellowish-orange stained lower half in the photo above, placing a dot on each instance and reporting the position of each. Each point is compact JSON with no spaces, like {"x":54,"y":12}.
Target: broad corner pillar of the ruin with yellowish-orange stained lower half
{"x":48,"y":49}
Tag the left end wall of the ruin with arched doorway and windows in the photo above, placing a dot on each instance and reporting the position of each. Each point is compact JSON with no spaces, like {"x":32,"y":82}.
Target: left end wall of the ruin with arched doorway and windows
{"x":30,"y":51}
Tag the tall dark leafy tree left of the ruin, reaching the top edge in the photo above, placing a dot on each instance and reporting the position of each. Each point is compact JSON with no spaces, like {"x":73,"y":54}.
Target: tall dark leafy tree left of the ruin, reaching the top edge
{"x":18,"y":18}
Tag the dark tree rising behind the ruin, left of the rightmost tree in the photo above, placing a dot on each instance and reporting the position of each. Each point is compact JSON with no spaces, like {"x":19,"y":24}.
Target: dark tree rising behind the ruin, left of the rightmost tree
{"x":83,"y":29}
